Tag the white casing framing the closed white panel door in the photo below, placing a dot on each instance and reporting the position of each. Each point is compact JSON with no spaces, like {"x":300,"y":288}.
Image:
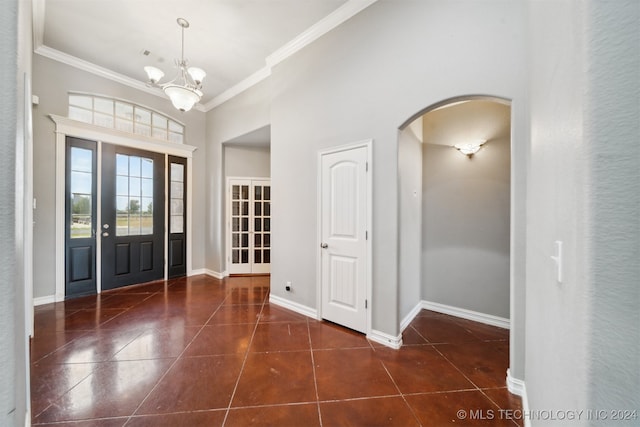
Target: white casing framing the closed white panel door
{"x":368,"y":144}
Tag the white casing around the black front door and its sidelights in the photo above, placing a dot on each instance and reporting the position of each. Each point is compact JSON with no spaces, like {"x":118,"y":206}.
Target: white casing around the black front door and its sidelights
{"x":68,"y":127}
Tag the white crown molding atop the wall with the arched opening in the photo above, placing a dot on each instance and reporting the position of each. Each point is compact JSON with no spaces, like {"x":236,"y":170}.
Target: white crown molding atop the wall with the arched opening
{"x":320,"y":28}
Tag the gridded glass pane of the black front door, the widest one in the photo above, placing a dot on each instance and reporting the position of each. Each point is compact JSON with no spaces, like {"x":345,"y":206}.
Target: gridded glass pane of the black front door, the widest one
{"x":134,"y":196}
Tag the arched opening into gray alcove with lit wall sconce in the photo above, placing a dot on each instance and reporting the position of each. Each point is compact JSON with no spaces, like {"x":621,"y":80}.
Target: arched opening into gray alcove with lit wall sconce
{"x":455,"y":211}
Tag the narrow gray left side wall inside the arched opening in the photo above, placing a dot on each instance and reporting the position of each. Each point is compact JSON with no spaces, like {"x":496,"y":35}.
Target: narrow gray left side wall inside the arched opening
{"x":410,"y":219}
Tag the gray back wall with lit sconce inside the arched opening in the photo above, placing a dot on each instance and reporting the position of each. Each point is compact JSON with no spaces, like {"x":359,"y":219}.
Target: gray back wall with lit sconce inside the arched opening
{"x":465,"y":234}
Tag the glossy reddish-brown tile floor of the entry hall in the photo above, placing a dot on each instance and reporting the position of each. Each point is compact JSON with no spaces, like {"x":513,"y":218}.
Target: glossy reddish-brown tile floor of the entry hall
{"x":208,"y":352}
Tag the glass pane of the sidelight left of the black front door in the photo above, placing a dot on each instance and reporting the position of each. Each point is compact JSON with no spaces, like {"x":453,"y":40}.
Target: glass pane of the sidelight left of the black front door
{"x":81,"y":186}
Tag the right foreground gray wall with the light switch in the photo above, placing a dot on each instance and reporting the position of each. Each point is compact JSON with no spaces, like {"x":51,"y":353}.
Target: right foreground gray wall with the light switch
{"x":583,"y":335}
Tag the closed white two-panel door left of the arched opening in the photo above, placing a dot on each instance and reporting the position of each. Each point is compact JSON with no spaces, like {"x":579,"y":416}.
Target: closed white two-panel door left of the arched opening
{"x":343,"y":235}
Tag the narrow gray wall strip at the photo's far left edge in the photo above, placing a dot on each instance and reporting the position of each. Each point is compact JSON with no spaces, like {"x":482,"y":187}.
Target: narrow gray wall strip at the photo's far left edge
{"x":15,"y":41}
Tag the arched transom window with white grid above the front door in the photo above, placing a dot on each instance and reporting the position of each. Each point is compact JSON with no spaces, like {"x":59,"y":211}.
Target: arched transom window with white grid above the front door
{"x":125,"y":117}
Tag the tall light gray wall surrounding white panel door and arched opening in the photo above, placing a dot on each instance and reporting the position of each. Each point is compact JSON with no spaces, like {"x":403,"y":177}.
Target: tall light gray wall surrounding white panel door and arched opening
{"x":363,"y":80}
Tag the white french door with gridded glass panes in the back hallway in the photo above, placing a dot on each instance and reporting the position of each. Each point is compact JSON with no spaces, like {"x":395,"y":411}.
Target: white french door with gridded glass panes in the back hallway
{"x":249,"y":226}
